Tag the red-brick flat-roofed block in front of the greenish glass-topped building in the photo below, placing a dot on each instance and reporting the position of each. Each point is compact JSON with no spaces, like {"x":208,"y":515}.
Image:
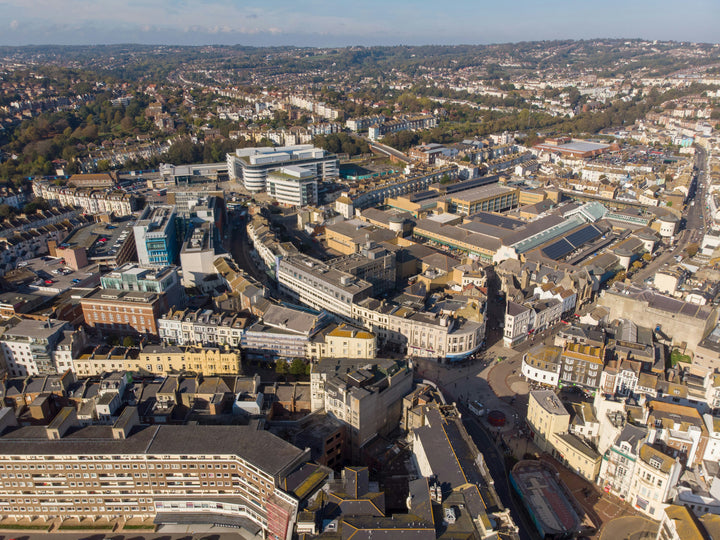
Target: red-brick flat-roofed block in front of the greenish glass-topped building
{"x":124,"y":312}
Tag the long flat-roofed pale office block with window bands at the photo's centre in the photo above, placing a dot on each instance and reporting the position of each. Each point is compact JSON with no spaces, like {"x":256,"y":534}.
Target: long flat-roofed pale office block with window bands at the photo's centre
{"x":320,"y":286}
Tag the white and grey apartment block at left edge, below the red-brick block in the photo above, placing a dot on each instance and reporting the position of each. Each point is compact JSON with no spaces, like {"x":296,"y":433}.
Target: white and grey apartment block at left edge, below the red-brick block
{"x":29,"y":347}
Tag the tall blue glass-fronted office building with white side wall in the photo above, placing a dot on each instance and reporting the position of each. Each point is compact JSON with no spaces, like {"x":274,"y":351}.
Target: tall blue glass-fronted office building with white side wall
{"x":155,"y":237}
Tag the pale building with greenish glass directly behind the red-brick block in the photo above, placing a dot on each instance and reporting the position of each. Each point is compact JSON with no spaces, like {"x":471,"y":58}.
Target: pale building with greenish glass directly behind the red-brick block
{"x":131,"y":277}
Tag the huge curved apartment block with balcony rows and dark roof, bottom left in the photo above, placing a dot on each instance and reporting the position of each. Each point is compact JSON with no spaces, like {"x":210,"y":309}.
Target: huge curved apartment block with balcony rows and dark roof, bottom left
{"x":209,"y":474}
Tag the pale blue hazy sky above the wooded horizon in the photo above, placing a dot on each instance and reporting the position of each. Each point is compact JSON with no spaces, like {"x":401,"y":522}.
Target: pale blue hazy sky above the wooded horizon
{"x":323,"y":23}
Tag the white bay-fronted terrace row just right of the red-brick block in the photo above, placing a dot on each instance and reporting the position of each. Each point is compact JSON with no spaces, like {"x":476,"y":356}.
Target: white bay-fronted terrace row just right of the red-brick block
{"x":201,"y":326}
